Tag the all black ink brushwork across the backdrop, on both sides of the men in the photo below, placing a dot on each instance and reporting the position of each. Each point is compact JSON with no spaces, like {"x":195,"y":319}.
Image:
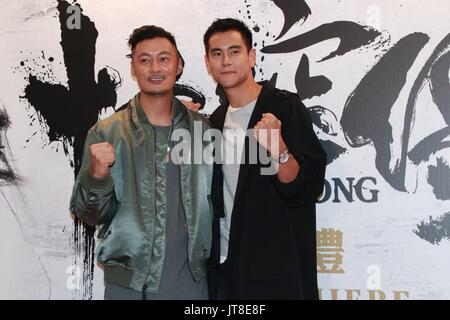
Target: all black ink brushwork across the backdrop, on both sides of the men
{"x":68,"y":111}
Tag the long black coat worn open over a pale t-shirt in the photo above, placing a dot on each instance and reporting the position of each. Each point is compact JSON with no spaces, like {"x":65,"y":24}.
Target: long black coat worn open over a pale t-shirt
{"x":272,"y":245}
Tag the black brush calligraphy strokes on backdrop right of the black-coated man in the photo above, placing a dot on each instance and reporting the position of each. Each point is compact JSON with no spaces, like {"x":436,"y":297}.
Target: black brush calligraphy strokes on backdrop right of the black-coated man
{"x":365,"y":118}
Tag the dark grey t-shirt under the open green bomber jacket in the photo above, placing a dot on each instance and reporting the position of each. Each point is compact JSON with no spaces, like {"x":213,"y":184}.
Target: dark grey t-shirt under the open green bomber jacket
{"x":177,"y":281}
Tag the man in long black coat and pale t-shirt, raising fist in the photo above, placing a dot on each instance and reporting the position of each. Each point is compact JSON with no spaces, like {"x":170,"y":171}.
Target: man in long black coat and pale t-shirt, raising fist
{"x":264,"y":227}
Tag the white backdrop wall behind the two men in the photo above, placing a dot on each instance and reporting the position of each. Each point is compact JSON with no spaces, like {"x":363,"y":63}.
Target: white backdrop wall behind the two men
{"x":383,"y":231}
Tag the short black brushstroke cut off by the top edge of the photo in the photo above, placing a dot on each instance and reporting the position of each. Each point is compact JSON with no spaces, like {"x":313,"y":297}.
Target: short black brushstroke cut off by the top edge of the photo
{"x":293,"y":12}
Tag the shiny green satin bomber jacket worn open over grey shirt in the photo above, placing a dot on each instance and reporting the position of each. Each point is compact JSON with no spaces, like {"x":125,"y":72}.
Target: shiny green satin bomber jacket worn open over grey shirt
{"x":124,"y":205}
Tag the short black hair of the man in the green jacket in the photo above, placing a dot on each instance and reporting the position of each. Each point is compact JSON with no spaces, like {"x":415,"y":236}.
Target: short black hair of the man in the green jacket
{"x":150,"y":32}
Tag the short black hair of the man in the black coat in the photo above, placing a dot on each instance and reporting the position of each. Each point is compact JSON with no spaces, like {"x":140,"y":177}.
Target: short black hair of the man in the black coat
{"x":227,"y":24}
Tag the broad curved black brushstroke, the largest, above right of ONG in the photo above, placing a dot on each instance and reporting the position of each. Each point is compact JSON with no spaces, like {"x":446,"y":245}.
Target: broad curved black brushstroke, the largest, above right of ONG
{"x":366,"y":112}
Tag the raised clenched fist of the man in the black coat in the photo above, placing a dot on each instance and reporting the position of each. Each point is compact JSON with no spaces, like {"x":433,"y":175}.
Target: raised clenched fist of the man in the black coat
{"x":268,"y":133}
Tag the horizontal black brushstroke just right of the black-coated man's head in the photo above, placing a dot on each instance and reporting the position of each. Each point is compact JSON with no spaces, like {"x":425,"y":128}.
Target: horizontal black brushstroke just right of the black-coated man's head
{"x":352,"y":36}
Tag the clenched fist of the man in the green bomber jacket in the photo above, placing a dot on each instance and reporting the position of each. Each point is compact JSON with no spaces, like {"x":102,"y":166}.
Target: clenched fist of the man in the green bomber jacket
{"x":102,"y":158}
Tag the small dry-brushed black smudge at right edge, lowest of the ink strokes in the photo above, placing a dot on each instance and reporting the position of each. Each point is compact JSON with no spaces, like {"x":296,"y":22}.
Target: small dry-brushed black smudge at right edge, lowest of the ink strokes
{"x":434,"y":230}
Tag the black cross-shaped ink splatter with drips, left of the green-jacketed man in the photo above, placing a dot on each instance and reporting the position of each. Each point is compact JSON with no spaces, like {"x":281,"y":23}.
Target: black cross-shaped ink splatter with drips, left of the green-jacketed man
{"x":69,"y":112}
